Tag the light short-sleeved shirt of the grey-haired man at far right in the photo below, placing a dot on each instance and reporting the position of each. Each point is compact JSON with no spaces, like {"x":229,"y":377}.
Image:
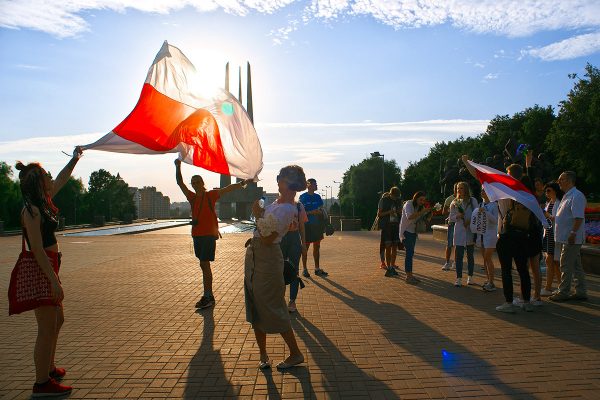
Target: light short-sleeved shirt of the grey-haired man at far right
{"x":571,"y":206}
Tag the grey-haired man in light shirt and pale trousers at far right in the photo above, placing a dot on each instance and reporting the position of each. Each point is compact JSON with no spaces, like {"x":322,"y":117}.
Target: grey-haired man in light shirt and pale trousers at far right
{"x":569,"y":231}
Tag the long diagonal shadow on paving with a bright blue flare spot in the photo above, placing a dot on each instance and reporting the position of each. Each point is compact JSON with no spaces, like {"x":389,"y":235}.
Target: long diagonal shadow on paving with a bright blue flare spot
{"x":425,"y":343}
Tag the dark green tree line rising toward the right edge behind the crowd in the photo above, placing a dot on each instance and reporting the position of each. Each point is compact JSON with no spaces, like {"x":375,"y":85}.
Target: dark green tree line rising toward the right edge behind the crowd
{"x":566,"y":140}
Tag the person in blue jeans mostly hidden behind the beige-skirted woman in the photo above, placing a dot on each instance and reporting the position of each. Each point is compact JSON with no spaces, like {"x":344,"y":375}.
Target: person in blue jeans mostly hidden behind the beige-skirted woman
{"x":293,"y":246}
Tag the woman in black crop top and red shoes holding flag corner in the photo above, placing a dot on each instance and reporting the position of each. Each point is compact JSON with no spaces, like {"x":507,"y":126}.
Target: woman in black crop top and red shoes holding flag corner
{"x":40,"y":220}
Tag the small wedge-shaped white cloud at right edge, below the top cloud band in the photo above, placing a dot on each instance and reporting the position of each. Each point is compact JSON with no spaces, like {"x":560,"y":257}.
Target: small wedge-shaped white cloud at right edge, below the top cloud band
{"x":577,"y":46}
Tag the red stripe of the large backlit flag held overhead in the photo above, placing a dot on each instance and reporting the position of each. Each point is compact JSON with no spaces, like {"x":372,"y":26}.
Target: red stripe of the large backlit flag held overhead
{"x":160,"y":123}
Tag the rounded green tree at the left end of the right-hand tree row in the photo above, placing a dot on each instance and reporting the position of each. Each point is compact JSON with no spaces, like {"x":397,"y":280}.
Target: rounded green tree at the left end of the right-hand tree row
{"x":360,"y":190}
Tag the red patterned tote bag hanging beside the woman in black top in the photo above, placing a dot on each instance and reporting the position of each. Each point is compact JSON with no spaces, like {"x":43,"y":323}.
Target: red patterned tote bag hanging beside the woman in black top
{"x":29,"y":286}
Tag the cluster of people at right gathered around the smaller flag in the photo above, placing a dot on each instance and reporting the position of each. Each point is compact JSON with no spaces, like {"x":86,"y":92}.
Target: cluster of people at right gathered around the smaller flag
{"x":517,"y":235}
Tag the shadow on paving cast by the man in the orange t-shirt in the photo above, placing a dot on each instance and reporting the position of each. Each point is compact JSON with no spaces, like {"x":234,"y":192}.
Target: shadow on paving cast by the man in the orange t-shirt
{"x":205,"y":370}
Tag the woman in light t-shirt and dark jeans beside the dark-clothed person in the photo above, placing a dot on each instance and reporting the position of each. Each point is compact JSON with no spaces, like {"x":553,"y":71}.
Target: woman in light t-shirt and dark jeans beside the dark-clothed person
{"x":412,"y":211}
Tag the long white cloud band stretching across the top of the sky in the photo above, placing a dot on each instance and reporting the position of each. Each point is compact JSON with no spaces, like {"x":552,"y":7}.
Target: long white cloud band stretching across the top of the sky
{"x":512,"y":18}
